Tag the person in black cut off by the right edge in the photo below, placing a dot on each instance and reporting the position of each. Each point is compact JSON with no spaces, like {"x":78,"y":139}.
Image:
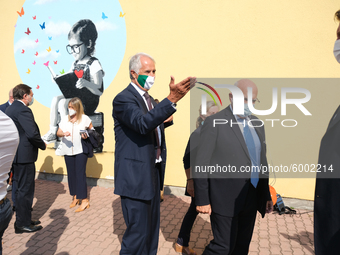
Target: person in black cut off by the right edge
{"x":327,"y":194}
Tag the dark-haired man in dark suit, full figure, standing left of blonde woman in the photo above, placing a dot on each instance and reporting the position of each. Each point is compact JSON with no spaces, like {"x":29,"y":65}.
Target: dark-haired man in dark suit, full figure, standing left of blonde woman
{"x":26,"y":155}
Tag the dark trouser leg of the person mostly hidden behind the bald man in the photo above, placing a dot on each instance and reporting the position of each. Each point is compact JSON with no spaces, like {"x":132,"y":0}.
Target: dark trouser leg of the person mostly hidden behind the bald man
{"x":188,"y":221}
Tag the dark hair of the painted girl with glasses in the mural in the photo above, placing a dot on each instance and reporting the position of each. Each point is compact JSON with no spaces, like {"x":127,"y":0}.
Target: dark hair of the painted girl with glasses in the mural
{"x":87,"y":32}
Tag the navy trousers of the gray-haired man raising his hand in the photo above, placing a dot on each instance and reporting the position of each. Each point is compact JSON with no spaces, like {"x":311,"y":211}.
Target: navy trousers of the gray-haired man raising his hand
{"x":142,"y":224}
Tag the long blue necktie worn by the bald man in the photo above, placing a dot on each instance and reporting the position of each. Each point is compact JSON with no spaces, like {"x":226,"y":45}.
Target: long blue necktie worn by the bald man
{"x":248,"y":137}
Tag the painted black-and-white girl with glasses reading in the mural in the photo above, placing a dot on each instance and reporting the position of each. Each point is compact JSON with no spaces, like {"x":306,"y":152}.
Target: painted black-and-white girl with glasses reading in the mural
{"x":82,"y":40}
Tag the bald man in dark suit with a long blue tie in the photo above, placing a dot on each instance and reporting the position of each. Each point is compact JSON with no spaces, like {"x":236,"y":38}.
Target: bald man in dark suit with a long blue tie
{"x":232,"y":198}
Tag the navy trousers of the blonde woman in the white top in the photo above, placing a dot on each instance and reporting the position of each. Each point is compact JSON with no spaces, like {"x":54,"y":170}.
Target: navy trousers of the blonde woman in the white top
{"x":76,"y":175}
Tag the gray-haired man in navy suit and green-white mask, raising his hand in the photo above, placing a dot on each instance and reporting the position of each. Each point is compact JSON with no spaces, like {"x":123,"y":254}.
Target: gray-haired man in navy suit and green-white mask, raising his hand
{"x":140,"y":153}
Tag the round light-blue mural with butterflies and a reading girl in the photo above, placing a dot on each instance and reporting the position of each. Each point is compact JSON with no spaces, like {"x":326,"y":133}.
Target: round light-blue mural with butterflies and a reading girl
{"x":69,"y":48}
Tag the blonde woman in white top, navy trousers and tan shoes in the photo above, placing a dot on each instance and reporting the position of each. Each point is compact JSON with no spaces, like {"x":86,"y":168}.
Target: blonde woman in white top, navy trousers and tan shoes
{"x":72,"y":129}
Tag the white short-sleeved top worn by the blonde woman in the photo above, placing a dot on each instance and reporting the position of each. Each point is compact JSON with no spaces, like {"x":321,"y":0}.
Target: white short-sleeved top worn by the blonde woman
{"x":71,"y":145}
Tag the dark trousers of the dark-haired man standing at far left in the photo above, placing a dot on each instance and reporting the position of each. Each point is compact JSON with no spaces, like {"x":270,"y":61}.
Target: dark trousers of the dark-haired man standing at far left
{"x":24,"y":181}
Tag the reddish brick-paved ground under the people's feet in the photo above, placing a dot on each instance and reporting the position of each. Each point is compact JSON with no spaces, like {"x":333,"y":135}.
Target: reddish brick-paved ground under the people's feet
{"x":99,"y":229}
